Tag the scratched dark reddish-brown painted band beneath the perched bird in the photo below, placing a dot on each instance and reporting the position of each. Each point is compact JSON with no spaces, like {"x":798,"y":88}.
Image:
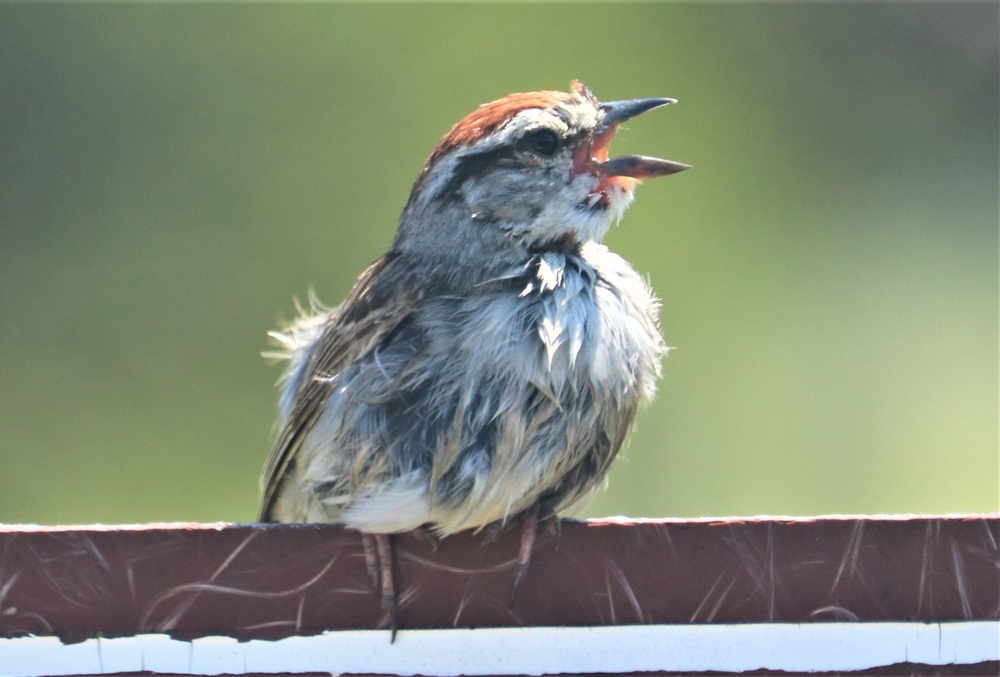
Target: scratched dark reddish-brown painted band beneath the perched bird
{"x":269,"y":582}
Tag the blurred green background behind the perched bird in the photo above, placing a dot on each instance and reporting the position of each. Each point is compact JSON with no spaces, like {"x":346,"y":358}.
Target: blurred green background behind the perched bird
{"x":171,"y":176}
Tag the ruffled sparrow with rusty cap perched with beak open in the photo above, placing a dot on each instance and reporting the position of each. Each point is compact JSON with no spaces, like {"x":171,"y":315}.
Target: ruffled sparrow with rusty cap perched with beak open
{"x":489,"y":366}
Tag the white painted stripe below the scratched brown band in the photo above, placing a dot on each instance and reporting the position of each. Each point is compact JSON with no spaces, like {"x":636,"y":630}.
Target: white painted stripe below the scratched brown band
{"x":533,"y":651}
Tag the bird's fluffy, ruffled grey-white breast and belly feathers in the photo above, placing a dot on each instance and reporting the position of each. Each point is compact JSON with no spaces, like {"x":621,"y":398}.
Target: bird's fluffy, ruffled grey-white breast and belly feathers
{"x":486,"y":403}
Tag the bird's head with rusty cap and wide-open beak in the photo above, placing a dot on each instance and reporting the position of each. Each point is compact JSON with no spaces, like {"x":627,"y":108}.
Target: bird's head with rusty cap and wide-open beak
{"x":527,"y":170}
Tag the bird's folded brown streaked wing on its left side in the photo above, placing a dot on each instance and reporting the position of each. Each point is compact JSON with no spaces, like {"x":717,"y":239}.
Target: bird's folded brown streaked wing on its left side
{"x":382,"y":298}
